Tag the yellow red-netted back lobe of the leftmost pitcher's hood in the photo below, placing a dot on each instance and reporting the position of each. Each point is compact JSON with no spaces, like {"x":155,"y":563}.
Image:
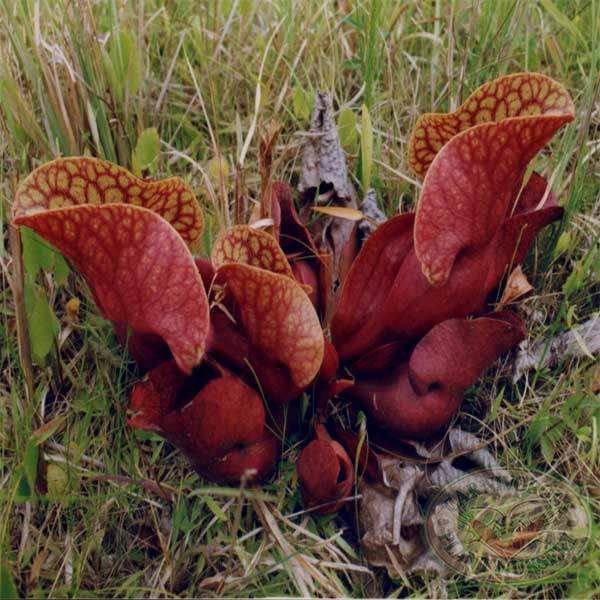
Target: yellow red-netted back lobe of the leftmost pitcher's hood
{"x":78,"y":180}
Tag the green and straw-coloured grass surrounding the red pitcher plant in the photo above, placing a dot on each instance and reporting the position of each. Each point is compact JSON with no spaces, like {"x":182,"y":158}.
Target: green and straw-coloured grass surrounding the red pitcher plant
{"x":80,"y":77}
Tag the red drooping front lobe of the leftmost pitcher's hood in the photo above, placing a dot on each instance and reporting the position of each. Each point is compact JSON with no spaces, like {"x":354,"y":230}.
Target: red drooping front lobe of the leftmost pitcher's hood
{"x":139,"y":269}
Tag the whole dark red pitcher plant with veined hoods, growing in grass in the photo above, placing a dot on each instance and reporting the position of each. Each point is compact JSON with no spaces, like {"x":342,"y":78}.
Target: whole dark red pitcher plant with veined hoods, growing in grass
{"x":230,"y":340}
